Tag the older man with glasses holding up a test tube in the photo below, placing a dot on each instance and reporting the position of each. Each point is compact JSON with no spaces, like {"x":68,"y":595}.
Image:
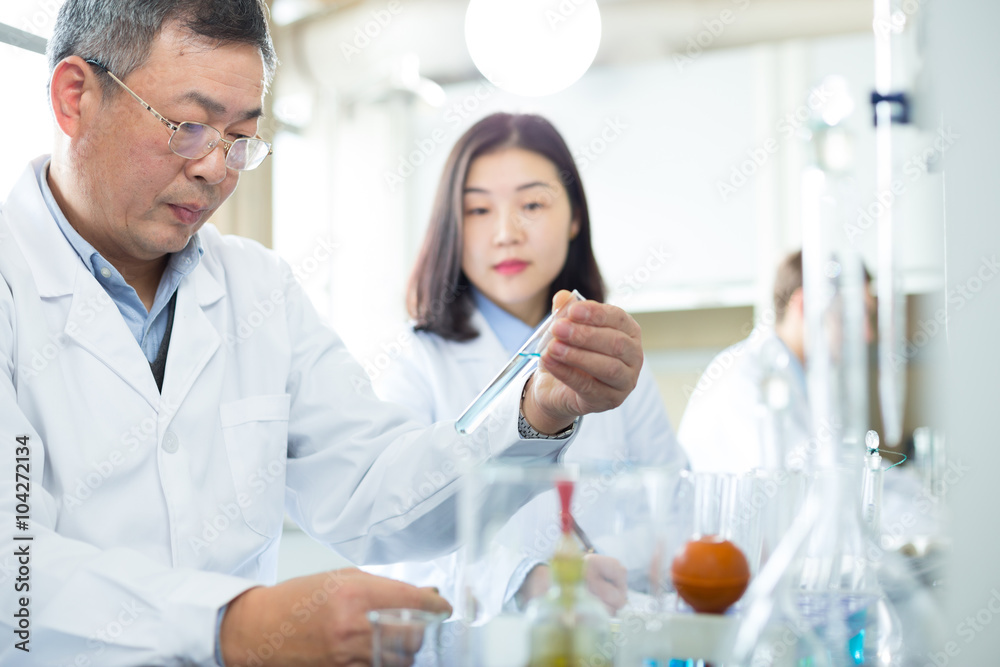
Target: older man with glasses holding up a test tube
{"x":167,"y":393}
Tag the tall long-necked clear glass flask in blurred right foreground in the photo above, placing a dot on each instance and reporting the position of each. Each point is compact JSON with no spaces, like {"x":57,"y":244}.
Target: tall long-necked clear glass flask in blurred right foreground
{"x":820,"y":579}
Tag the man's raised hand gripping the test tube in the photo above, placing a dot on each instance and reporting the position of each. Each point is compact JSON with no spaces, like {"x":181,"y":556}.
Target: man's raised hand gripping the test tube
{"x":591,"y":365}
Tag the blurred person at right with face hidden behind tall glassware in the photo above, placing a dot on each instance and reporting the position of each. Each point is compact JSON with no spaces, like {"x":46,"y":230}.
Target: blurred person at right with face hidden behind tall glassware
{"x":728,"y":423}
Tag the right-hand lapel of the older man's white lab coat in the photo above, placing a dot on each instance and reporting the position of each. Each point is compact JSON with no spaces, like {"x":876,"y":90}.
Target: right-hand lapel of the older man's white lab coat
{"x":193,"y":340}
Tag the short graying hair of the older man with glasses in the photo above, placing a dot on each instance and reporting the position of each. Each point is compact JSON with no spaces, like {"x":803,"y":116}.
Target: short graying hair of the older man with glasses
{"x":119,"y":34}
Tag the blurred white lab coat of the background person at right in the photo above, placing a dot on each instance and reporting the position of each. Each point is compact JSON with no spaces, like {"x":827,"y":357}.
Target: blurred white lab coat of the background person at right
{"x":726,"y":428}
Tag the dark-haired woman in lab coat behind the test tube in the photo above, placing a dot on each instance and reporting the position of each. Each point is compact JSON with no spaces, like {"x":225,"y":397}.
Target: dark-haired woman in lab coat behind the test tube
{"x":509,"y":228}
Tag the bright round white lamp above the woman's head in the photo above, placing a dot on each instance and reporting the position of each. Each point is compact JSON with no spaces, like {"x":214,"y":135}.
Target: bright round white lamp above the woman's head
{"x":532,"y":47}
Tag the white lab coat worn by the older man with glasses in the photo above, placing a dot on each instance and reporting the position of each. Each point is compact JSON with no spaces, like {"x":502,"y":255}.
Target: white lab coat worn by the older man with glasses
{"x":150,"y":510}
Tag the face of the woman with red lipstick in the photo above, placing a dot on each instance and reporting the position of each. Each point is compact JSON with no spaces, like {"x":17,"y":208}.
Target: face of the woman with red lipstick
{"x":517,"y":224}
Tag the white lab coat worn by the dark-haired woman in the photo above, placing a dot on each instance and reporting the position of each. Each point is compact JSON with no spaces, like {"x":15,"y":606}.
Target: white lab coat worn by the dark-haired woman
{"x":437,"y":379}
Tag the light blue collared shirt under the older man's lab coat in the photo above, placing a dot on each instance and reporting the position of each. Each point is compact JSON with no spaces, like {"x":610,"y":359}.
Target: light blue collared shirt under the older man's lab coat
{"x":150,"y":326}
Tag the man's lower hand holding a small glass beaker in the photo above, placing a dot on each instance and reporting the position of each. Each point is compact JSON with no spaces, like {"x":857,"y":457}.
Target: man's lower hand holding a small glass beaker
{"x":315,"y":620}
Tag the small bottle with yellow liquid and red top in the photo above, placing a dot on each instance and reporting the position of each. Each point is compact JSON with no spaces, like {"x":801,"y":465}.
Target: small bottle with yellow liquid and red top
{"x":569,"y":626}
